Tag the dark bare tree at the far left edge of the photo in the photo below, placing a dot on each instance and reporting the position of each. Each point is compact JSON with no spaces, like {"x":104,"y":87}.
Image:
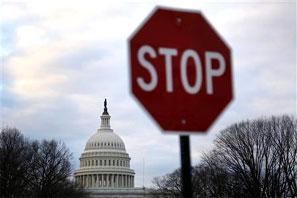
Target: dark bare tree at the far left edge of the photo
{"x":13,"y":167}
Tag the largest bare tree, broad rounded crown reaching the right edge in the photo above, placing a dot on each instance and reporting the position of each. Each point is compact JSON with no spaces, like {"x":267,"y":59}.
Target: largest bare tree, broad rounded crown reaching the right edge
{"x":262,"y":155}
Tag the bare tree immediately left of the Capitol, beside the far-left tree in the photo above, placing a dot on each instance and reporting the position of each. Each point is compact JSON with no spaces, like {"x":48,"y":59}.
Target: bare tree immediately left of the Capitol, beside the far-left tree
{"x":50,"y":168}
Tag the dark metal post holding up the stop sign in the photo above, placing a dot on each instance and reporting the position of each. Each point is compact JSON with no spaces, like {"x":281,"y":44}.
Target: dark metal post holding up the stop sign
{"x":186,"y":178}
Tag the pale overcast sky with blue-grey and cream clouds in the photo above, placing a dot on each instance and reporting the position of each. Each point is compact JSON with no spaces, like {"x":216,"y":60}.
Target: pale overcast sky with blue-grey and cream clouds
{"x":60,"y":59}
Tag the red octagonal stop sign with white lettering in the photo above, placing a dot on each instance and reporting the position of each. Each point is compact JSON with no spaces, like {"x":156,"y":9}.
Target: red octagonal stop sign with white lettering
{"x":180,"y":70}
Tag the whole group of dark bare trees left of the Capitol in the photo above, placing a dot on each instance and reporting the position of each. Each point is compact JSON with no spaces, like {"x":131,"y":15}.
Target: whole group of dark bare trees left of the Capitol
{"x":31,"y":168}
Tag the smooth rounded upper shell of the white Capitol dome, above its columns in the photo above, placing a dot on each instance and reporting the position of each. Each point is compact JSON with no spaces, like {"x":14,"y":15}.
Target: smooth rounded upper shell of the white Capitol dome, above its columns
{"x":105,"y":139}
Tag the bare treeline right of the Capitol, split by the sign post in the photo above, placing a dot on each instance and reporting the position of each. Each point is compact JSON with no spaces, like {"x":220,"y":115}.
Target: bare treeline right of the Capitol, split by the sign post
{"x":250,"y":159}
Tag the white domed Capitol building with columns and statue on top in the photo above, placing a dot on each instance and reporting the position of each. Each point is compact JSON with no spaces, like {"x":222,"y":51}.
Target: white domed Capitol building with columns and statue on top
{"x":105,"y":165}
